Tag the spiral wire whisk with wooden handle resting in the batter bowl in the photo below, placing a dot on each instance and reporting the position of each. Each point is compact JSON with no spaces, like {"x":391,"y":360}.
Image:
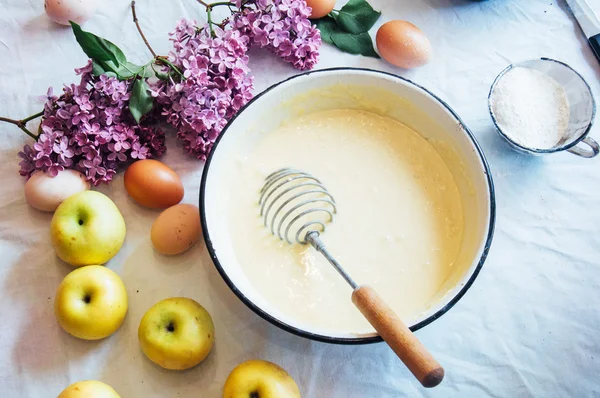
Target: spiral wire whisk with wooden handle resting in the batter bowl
{"x":296,"y":207}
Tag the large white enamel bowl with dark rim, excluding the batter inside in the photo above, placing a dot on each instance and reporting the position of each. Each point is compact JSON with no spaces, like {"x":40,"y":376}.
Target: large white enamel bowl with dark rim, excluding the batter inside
{"x":379,"y":92}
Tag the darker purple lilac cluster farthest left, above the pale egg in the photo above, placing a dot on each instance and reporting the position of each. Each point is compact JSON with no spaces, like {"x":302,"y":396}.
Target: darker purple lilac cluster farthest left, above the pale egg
{"x":90,"y":129}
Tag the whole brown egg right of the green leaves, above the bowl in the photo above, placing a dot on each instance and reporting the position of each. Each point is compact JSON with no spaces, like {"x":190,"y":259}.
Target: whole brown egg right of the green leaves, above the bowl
{"x":403,"y":44}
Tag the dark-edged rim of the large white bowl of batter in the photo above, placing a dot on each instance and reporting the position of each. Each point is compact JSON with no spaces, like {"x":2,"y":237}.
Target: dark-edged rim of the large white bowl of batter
{"x":321,"y":337}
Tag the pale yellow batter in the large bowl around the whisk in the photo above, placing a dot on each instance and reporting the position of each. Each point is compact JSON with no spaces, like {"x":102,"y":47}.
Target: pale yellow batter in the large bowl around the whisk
{"x":399,"y":225}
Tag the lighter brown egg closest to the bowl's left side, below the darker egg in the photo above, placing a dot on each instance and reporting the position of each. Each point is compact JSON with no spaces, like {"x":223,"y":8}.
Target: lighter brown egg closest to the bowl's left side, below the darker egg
{"x":176,"y":229}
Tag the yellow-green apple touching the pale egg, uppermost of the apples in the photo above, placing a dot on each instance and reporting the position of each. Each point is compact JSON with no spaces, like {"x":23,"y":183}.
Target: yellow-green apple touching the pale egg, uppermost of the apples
{"x":87,"y":228}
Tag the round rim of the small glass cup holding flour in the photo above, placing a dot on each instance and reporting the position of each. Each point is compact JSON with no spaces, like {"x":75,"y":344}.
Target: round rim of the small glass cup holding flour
{"x":533,"y":149}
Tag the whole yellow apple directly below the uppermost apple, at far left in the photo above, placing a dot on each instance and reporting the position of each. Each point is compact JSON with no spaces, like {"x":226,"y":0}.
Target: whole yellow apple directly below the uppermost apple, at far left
{"x":91,"y":302}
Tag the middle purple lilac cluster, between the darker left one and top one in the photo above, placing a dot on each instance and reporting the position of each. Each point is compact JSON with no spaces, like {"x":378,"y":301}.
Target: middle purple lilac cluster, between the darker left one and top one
{"x":214,"y":86}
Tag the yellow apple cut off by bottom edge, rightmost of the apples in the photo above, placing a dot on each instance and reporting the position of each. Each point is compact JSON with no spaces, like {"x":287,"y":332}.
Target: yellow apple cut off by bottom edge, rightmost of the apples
{"x":260,"y":379}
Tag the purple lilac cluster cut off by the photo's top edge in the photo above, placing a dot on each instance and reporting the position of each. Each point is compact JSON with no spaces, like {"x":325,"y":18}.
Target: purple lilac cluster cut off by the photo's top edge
{"x":281,"y":26}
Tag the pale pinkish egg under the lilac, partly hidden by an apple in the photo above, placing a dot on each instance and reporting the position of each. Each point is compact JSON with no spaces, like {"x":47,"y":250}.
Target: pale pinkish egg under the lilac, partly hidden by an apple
{"x":45,"y":192}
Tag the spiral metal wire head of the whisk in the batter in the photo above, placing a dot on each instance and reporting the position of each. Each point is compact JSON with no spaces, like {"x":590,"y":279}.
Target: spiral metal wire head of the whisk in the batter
{"x":289,"y":196}
